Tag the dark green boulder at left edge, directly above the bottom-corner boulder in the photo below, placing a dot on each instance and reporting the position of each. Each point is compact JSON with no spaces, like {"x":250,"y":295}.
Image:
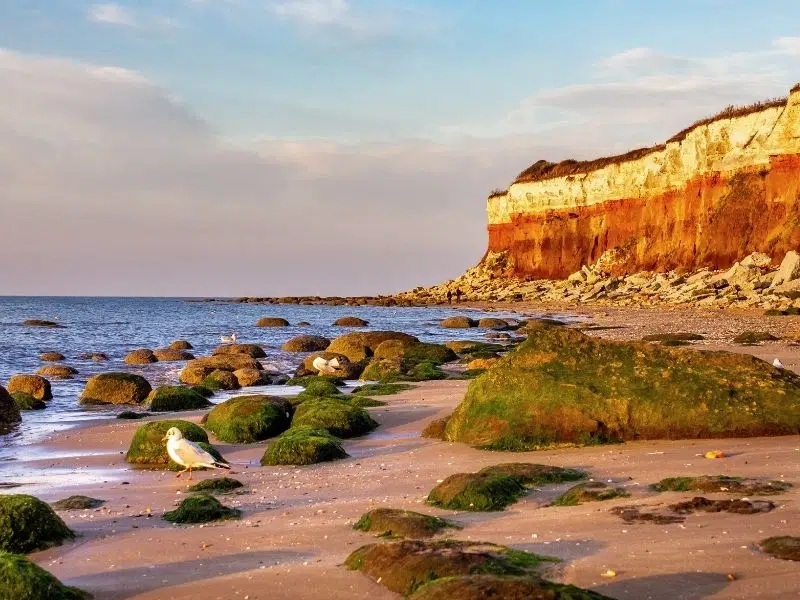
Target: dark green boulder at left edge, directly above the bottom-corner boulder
{"x":27,"y":524}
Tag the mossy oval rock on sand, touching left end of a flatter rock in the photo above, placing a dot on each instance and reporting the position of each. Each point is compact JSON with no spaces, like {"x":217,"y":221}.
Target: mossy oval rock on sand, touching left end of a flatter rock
{"x":476,"y":492}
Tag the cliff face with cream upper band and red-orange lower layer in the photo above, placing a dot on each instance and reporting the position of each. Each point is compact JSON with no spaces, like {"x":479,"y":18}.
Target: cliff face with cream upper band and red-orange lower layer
{"x":708,"y":197}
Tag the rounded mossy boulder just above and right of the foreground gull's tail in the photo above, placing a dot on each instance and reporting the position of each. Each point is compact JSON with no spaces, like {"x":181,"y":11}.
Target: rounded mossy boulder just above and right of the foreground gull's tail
{"x":249,"y":419}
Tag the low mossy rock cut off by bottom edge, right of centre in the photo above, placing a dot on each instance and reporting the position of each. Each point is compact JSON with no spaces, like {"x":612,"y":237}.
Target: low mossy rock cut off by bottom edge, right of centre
{"x":482,"y":587}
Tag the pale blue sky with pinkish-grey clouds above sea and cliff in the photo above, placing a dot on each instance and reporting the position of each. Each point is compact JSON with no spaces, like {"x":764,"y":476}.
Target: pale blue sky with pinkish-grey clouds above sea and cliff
{"x":331,"y":147}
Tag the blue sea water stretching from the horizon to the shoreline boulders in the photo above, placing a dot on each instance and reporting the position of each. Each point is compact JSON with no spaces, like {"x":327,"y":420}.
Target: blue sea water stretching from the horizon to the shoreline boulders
{"x":118,"y":325}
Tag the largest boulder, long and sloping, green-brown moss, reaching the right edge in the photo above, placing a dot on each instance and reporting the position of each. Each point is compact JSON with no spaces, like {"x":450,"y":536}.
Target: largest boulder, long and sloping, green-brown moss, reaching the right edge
{"x":563,"y":387}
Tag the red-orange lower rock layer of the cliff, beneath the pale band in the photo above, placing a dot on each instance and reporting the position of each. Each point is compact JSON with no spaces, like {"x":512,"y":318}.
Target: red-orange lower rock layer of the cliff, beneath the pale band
{"x":712,"y":222}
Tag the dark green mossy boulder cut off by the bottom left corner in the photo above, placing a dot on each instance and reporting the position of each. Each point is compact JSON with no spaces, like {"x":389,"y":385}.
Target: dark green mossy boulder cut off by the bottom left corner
{"x":22,"y":579}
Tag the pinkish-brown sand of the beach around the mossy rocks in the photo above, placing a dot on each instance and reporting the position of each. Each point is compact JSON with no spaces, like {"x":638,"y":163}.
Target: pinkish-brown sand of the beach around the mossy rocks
{"x":297,"y":524}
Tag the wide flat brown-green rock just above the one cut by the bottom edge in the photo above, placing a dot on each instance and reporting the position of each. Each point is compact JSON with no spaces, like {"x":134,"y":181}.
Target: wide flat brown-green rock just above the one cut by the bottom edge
{"x":406,"y":565}
